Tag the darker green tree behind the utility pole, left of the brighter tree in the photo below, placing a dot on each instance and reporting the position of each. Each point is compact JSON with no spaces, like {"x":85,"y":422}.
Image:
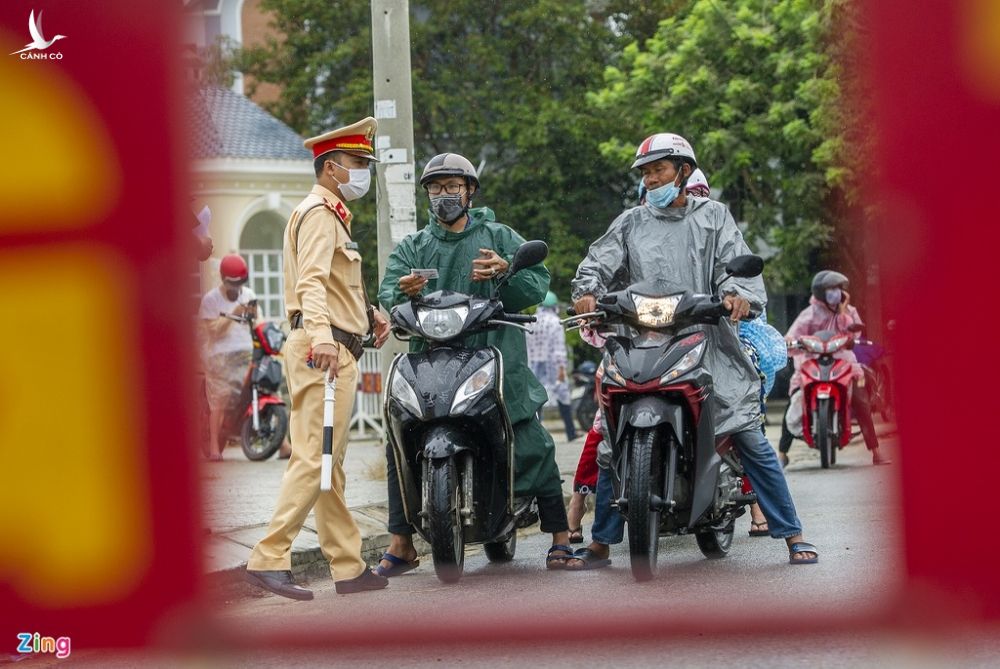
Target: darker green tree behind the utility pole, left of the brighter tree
{"x":503,"y":83}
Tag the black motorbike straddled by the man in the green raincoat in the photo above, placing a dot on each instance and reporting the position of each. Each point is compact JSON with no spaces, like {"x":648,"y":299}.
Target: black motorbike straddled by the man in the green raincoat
{"x":448,"y":424}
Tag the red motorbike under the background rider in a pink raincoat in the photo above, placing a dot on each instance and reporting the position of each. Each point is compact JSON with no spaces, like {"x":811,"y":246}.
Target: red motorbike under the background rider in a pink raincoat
{"x":826,"y":387}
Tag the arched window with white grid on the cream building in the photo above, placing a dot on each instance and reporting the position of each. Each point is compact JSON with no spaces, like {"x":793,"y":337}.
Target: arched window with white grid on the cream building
{"x":260,"y":244}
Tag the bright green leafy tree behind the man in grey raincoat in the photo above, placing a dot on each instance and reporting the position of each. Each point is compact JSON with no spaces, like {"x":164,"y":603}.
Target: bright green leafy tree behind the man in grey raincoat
{"x":754,"y":85}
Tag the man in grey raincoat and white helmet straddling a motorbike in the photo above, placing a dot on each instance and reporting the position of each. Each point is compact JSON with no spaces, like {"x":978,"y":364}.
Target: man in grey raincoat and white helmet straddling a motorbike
{"x":688,"y":241}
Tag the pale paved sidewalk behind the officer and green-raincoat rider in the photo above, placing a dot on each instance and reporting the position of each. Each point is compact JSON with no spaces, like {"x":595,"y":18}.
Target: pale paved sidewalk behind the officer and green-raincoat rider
{"x":239,"y":498}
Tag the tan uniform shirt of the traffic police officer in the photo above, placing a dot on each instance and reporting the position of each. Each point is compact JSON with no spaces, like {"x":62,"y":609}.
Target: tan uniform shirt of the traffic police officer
{"x":323,"y":268}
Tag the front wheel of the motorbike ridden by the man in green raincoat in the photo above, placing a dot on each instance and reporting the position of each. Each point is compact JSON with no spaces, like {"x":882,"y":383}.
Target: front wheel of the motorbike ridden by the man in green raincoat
{"x":445,"y":520}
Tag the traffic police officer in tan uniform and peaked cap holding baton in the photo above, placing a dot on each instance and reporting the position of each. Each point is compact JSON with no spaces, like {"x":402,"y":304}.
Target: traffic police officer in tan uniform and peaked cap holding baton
{"x":329,"y":314}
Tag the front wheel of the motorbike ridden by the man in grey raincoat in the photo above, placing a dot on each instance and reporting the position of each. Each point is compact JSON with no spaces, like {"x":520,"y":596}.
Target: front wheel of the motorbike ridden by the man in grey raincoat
{"x":644,"y":482}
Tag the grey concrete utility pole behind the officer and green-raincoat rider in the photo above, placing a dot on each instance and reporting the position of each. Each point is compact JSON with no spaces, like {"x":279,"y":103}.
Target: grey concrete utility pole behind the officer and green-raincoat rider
{"x":394,"y":173}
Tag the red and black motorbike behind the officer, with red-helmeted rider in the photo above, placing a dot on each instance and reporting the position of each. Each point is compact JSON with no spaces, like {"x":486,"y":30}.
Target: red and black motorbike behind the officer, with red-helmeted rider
{"x":259,"y":418}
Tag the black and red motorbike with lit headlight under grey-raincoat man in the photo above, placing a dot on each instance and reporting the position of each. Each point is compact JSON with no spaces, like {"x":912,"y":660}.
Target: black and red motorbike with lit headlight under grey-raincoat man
{"x":669,"y":474}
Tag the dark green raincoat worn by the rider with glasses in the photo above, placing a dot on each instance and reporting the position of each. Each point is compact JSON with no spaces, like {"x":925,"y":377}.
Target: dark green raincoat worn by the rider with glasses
{"x":452,"y":253}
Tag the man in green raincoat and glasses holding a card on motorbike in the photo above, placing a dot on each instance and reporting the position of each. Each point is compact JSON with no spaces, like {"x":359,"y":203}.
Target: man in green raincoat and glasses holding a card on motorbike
{"x":471,"y":251}
